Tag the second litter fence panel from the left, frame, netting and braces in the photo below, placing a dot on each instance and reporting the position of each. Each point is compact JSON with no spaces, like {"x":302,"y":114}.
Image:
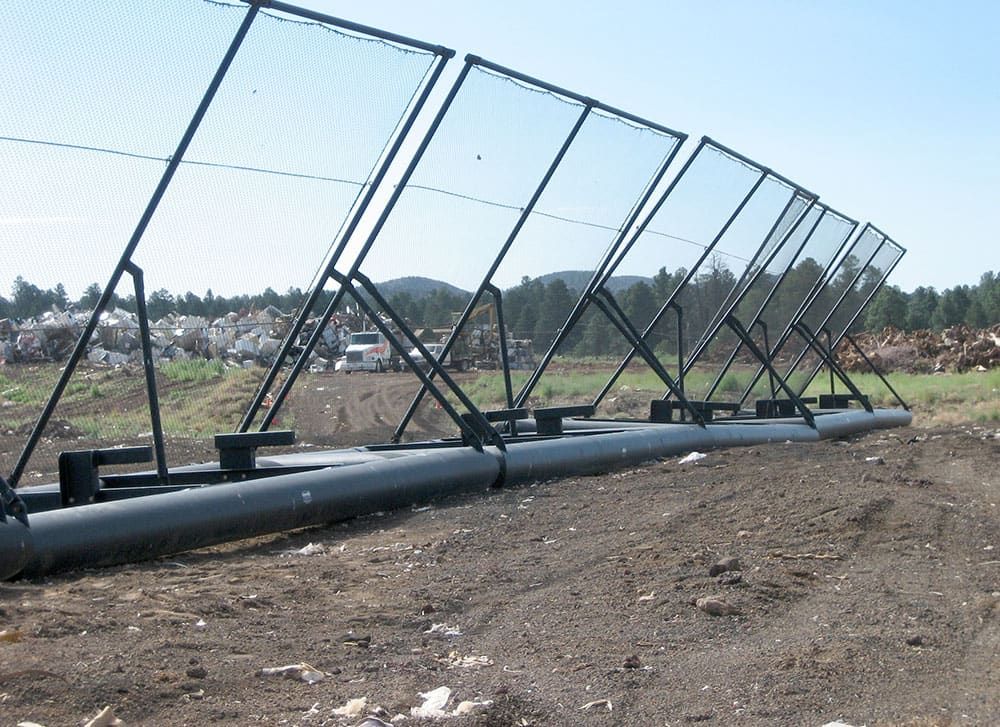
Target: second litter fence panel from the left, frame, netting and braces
{"x":515,"y":176}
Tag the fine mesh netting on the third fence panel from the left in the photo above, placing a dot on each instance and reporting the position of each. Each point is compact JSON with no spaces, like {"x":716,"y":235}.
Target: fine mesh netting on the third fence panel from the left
{"x":725,"y":219}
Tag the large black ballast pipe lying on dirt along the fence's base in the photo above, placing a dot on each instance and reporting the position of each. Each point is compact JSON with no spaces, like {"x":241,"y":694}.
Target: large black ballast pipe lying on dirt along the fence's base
{"x":136,"y":529}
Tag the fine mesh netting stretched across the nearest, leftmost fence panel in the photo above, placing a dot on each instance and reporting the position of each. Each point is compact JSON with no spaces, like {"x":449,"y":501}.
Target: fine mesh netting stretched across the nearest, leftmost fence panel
{"x":285,"y":149}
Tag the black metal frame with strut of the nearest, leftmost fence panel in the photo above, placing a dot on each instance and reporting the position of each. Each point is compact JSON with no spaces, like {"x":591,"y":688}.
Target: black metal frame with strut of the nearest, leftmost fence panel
{"x":125,"y":264}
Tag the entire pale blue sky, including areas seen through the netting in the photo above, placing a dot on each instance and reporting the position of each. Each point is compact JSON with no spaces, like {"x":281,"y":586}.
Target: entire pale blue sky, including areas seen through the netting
{"x":889,"y":110}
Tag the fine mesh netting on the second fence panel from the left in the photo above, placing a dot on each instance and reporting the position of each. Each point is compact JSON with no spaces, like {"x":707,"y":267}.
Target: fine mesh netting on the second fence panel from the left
{"x":465,"y":202}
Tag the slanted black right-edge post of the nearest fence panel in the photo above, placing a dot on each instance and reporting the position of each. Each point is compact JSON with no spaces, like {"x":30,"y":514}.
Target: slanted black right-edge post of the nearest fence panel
{"x":306,"y":309}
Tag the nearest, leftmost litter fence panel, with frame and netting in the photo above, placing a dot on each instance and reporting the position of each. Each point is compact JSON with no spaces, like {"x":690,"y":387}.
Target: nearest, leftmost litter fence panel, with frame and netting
{"x":243,"y":186}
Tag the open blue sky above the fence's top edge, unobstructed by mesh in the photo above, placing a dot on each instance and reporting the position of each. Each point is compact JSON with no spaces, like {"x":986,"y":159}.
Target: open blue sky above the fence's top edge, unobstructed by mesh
{"x":890,"y":111}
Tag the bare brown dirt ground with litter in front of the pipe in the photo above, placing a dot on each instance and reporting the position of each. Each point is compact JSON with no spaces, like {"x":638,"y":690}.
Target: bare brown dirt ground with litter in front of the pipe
{"x":867,"y":590}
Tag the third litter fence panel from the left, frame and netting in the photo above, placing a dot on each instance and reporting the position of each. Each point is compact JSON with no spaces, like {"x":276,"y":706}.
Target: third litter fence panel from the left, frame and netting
{"x":718,"y":218}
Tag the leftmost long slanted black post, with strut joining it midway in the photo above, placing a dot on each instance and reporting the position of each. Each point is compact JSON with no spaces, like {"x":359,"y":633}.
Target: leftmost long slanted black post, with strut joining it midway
{"x":154,"y":201}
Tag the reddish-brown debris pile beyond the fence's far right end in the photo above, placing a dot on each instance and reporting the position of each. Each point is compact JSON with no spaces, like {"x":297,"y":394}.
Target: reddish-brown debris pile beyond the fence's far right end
{"x":956,"y":349}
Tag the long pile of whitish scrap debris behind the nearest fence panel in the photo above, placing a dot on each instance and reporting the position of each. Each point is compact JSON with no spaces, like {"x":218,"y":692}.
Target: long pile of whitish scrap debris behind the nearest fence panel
{"x":245,"y":338}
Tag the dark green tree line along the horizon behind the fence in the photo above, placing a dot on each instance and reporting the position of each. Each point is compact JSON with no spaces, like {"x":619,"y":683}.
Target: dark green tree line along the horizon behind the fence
{"x":536,"y":310}
